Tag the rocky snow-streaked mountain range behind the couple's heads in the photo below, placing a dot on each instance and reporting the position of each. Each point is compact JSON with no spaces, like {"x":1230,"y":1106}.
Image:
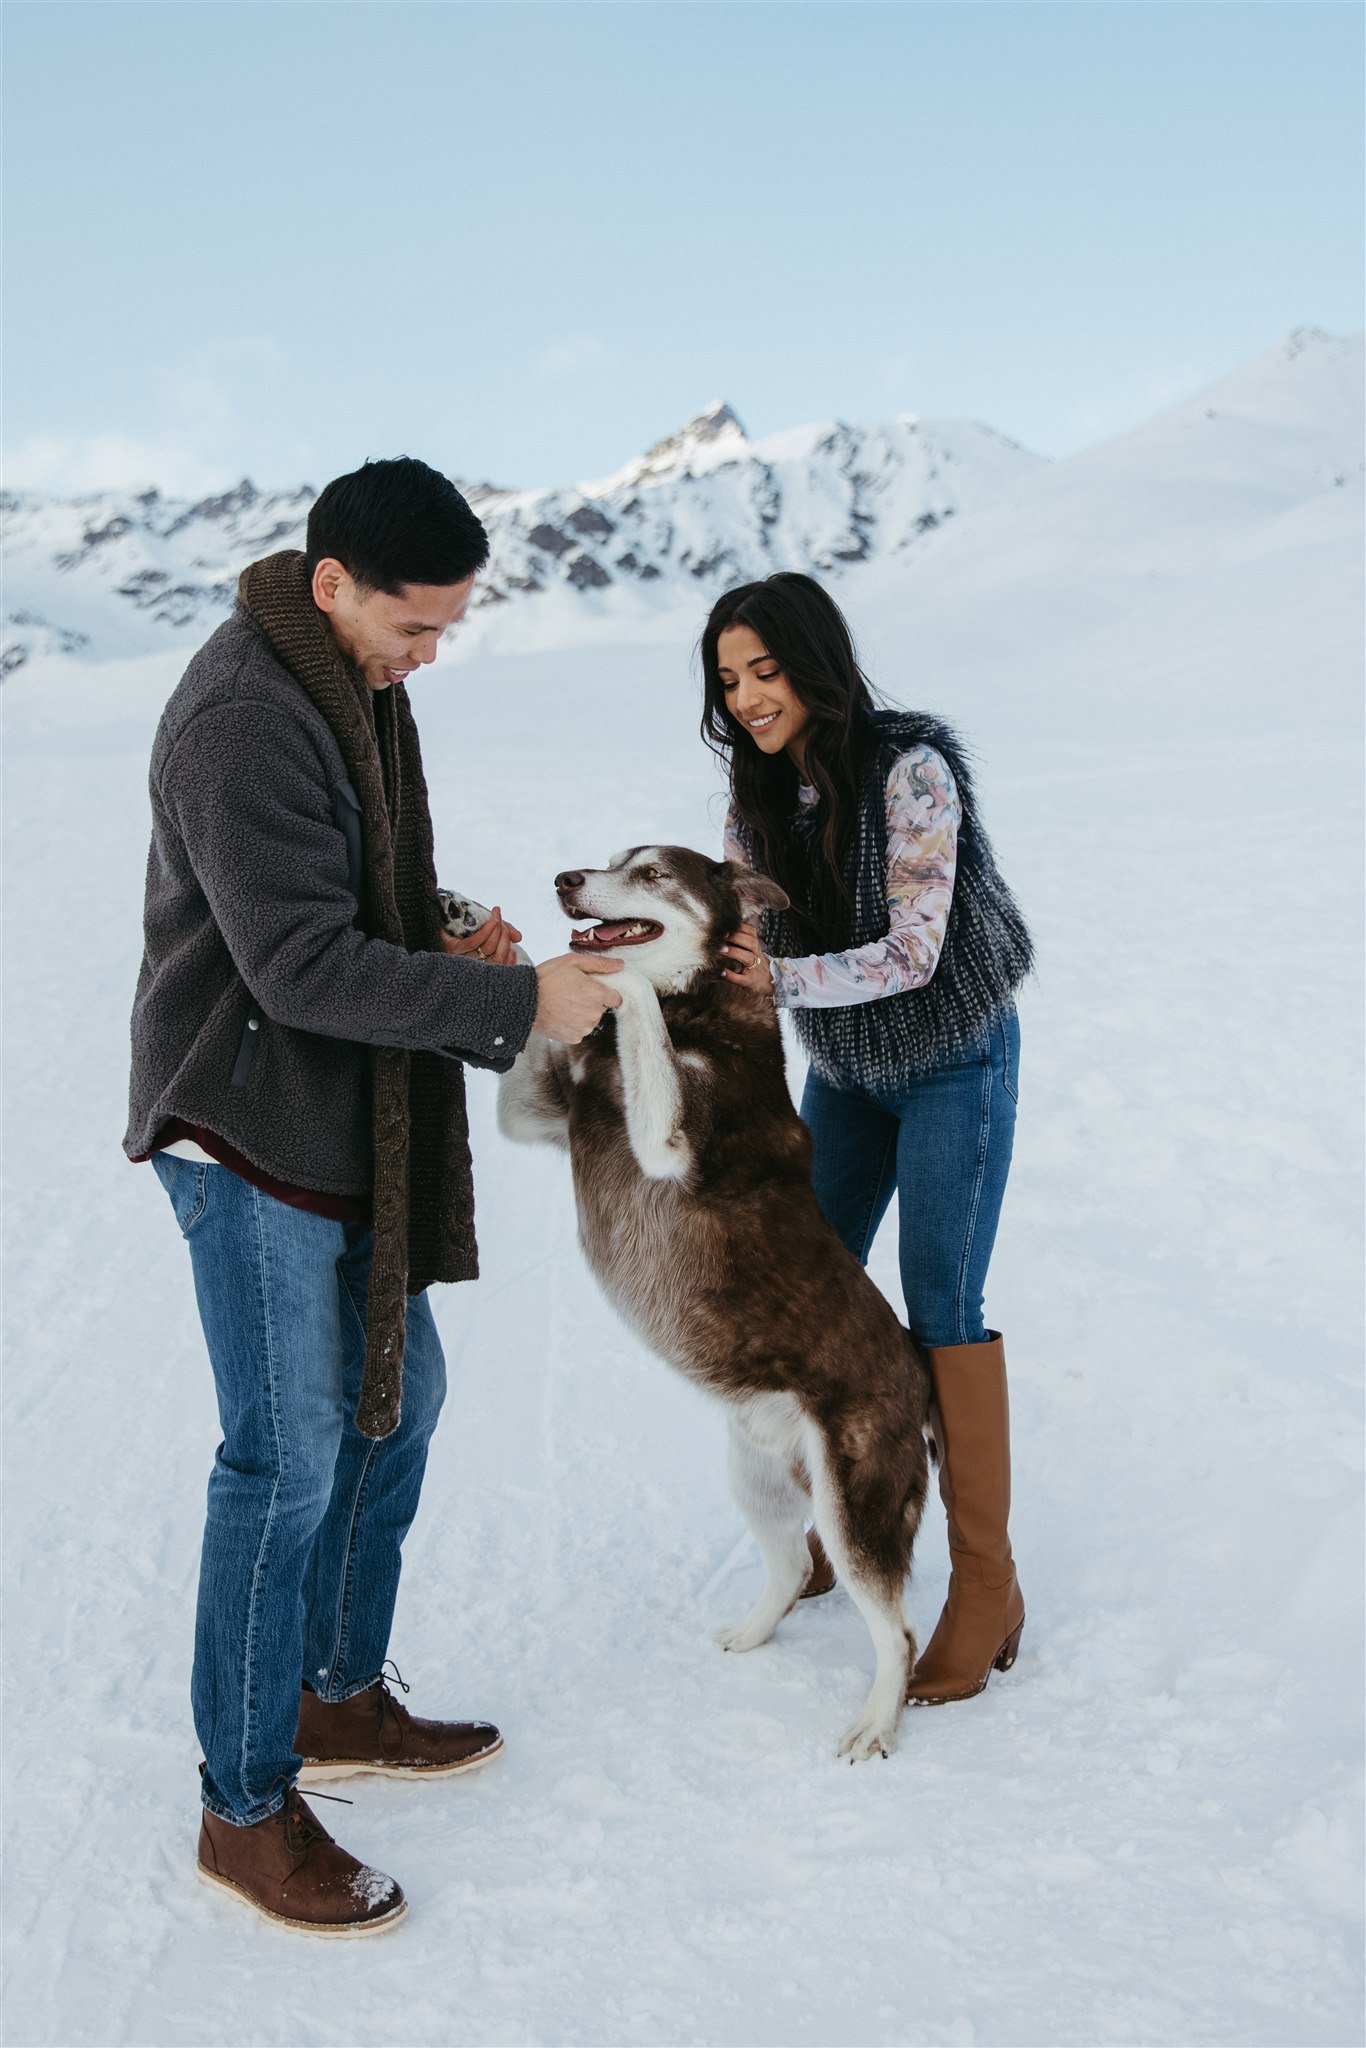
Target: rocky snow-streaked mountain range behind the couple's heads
{"x":708,"y":507}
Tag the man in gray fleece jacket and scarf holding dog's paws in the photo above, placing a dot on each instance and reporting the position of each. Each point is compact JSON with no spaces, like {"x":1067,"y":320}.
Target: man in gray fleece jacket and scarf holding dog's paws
{"x":300,"y":1035}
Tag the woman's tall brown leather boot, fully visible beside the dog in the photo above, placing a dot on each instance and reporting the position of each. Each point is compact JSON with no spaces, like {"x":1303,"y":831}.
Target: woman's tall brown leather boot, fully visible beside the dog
{"x":984,"y":1615}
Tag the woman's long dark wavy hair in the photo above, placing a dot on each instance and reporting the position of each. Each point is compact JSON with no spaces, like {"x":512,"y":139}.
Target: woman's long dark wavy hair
{"x":806,"y":634}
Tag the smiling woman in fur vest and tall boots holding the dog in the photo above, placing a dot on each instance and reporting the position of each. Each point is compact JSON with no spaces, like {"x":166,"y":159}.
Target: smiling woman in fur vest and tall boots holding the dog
{"x":898,"y":959}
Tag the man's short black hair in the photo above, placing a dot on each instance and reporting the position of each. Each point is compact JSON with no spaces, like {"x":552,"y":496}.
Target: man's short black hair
{"x":396,"y":523}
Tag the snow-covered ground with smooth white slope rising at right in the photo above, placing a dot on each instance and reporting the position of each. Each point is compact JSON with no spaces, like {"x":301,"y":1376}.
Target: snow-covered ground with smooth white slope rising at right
{"x":1150,"y":1830}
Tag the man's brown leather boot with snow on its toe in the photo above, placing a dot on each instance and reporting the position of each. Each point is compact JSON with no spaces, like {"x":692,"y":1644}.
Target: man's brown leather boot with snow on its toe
{"x":292,"y":1871}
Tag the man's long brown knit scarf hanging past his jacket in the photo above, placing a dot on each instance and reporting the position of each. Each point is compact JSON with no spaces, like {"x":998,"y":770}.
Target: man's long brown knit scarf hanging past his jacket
{"x":423,"y":1185}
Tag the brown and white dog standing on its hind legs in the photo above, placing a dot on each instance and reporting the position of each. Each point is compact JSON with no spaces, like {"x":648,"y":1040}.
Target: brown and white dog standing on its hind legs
{"x":693,"y":1181}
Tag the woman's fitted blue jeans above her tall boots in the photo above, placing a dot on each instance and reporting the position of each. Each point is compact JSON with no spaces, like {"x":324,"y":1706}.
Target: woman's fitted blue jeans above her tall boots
{"x":941,"y":1144}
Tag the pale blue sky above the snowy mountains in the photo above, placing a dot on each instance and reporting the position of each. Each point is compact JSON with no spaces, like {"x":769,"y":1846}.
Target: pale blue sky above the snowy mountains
{"x":525,"y":241}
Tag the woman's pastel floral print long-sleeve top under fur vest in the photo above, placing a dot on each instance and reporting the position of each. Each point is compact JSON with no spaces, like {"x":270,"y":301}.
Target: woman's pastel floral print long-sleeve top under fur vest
{"x":923,"y":851}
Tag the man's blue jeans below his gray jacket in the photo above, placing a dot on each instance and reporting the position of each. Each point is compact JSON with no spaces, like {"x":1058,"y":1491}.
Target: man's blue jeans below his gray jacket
{"x":300,"y":1566}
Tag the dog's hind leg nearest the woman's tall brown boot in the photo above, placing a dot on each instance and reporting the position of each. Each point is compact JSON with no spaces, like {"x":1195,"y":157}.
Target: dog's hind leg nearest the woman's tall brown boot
{"x":876,"y":1592}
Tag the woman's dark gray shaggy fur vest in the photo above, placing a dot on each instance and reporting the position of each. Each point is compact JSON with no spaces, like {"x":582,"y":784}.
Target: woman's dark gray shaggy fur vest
{"x":986,"y":949}
